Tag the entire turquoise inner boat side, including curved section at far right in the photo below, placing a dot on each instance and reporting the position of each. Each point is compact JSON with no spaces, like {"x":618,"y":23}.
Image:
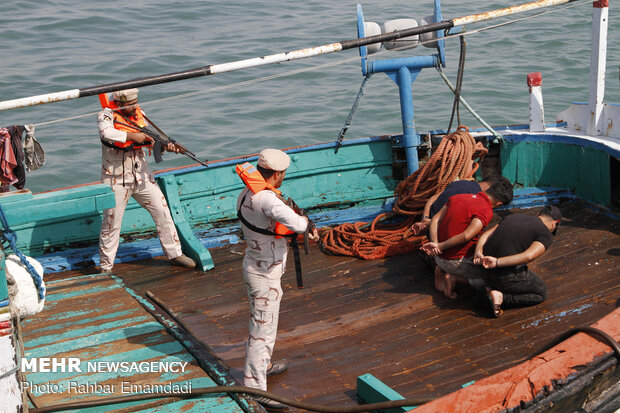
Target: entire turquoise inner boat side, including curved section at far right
{"x":361,"y":171}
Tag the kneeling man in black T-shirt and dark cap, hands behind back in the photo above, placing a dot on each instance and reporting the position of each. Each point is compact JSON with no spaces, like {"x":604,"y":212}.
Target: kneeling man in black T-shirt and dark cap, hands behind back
{"x":506,"y":248}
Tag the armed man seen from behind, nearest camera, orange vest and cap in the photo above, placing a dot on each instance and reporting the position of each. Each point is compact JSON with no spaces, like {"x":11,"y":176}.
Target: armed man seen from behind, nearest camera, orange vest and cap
{"x":265,"y":217}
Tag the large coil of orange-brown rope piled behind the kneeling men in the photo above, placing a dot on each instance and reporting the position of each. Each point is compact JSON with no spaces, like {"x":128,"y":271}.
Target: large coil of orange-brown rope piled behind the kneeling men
{"x":453,"y":159}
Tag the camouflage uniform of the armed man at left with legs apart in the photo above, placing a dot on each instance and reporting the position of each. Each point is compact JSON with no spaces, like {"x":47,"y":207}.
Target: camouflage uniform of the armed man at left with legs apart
{"x":129,"y":175}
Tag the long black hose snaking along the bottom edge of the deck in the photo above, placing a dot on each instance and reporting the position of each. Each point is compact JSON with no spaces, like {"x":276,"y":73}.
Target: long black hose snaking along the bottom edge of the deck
{"x":234,"y":389}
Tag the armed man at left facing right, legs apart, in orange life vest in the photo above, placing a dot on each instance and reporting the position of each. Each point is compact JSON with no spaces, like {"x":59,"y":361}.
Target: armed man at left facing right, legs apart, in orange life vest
{"x":125,"y":169}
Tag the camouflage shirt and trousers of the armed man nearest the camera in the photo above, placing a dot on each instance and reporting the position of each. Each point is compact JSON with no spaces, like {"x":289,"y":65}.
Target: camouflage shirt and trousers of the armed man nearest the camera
{"x":263,"y":267}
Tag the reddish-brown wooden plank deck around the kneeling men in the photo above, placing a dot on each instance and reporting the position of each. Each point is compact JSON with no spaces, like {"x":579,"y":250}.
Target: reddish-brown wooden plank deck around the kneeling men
{"x":384,"y":317}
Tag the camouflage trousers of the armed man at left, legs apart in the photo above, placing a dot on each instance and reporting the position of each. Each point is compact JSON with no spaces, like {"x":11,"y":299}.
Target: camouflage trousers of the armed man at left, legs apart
{"x":152,"y":199}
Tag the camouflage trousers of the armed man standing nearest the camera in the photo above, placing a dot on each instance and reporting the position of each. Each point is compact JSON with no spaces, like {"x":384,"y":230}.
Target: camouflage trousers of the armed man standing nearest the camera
{"x":265,"y":294}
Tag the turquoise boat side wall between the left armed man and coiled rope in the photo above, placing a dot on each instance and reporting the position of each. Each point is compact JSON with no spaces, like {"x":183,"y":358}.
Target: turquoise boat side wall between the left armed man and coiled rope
{"x":317,"y":176}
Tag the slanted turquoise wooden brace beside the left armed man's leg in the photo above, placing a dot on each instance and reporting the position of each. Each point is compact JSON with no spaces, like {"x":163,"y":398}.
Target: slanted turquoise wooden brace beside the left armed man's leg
{"x":190,"y":244}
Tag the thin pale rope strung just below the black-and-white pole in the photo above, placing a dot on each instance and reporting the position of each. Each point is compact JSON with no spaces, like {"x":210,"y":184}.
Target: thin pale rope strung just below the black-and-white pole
{"x":324,"y":65}
